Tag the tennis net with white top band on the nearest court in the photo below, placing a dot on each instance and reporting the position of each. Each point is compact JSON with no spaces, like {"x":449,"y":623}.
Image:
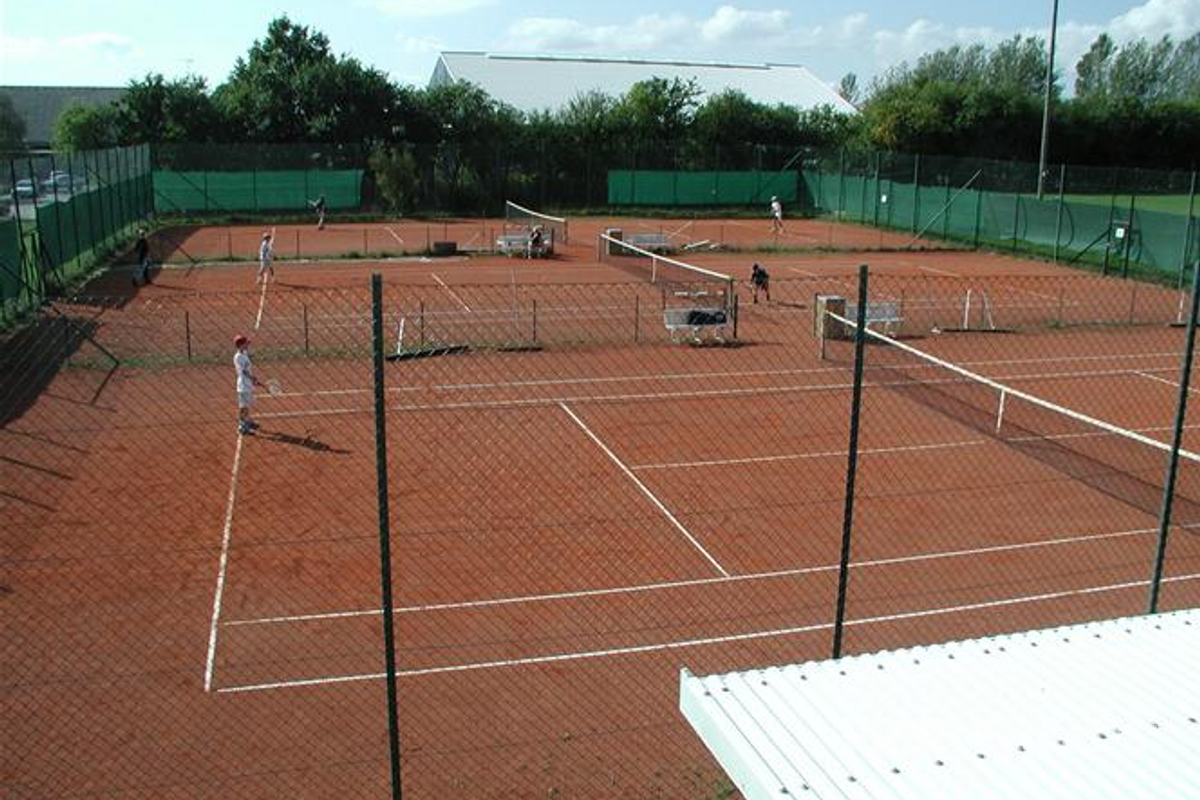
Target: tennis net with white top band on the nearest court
{"x":1119,"y":462}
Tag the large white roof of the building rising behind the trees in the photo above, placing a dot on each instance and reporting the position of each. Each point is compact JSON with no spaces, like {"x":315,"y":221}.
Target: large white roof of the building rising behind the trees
{"x":533,"y":83}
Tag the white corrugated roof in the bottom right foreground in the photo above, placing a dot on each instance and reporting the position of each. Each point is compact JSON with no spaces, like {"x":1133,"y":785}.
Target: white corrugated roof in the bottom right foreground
{"x":1100,"y":711}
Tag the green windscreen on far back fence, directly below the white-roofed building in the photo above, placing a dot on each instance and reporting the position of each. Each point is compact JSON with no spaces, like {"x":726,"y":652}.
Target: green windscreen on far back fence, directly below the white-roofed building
{"x":706,"y":188}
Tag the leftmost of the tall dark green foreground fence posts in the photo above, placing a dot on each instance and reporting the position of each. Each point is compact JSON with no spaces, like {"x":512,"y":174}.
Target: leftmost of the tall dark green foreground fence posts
{"x":389,"y":635}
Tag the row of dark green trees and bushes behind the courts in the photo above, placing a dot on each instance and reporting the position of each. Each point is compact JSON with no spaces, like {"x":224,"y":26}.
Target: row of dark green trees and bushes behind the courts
{"x":968,"y":101}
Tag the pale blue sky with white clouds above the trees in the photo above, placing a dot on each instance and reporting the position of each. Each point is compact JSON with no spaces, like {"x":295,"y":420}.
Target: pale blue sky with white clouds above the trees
{"x":109,"y":44}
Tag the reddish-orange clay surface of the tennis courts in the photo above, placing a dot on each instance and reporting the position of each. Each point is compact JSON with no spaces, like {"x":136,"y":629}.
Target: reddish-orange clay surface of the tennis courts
{"x":571,"y":525}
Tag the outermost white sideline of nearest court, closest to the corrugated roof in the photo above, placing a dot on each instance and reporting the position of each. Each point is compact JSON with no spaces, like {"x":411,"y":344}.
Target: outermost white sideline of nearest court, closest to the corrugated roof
{"x":709,"y":641}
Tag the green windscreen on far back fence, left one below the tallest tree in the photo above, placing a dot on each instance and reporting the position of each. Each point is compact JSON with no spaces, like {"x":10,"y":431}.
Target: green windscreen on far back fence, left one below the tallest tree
{"x":256,"y":190}
